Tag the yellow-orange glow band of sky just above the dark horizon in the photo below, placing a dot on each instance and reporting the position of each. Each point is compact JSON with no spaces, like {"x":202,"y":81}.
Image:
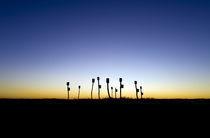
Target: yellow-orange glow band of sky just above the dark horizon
{"x":41,"y":92}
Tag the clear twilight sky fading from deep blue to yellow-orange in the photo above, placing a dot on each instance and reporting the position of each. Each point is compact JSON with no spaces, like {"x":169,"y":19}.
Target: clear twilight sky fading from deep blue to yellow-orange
{"x":162,"y":44}
